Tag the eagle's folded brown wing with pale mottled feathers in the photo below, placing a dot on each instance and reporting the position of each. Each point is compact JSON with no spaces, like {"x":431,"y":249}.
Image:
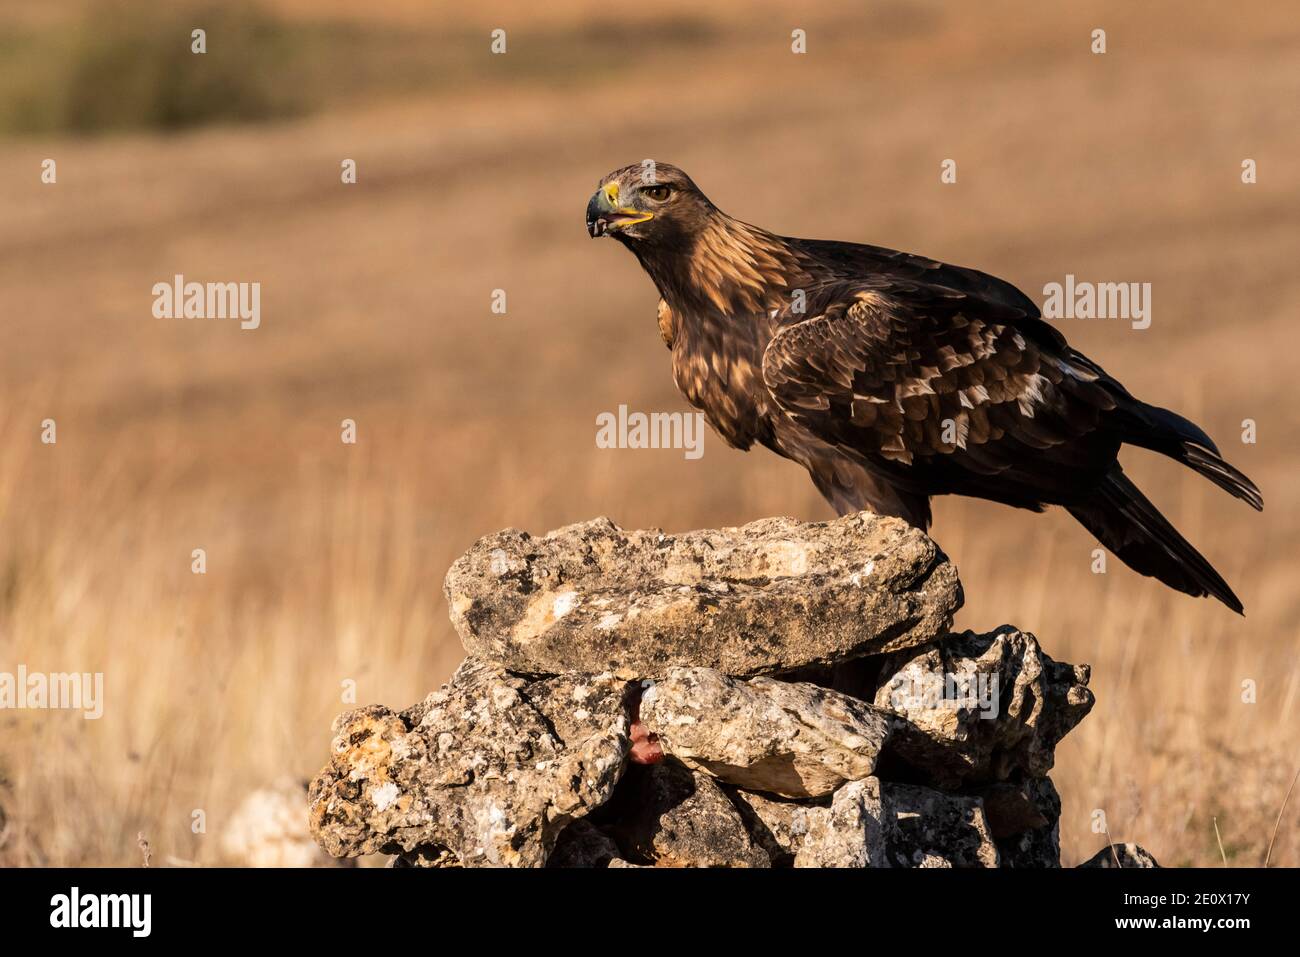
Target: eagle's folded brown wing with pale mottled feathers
{"x":944,"y":391}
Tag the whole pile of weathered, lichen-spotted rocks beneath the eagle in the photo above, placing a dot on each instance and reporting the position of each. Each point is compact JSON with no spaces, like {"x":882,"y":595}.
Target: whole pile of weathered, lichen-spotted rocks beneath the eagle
{"x":770,"y":696}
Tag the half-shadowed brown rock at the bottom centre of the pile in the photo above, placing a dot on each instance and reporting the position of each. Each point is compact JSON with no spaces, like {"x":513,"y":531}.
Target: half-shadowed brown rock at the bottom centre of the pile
{"x":681,"y":819}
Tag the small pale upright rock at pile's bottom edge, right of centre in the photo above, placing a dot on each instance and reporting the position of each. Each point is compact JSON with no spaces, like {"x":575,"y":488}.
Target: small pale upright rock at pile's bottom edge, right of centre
{"x":852,"y":833}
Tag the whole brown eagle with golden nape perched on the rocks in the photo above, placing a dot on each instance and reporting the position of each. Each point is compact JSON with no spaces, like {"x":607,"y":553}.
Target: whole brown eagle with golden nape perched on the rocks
{"x":892,"y":378}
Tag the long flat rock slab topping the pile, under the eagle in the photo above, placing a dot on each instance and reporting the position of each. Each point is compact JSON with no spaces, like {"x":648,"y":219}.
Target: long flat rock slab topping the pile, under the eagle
{"x":769,"y":597}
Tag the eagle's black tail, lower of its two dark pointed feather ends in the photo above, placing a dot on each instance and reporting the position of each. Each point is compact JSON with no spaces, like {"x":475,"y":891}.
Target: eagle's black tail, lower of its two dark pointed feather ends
{"x":1134,"y":530}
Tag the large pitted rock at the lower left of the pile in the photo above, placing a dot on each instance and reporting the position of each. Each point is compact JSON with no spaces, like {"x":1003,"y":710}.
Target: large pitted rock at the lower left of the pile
{"x":492,"y":768}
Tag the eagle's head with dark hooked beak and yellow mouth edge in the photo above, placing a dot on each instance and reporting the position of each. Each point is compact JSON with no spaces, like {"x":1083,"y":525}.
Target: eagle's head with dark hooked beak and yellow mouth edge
{"x":648,"y":205}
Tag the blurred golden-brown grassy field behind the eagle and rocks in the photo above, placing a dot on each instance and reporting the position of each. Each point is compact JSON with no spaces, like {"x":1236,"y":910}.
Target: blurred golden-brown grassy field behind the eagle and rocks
{"x":326,"y":561}
